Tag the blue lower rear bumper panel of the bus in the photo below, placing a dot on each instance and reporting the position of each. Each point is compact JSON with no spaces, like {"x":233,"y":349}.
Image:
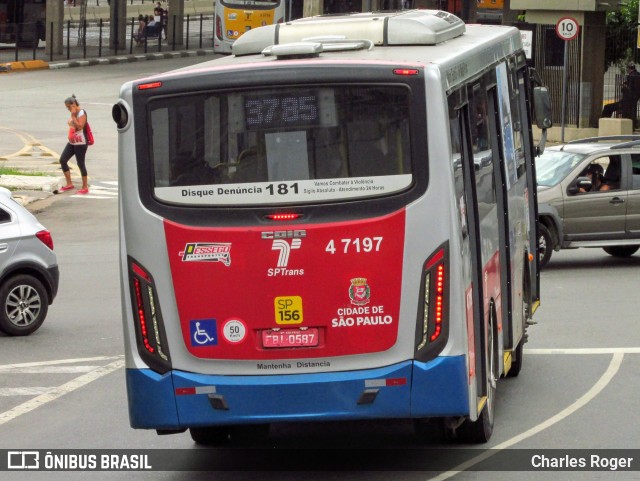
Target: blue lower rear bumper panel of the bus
{"x":407,"y":389}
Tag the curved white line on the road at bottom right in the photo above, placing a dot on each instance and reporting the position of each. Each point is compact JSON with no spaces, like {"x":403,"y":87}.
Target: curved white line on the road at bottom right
{"x":609,"y":374}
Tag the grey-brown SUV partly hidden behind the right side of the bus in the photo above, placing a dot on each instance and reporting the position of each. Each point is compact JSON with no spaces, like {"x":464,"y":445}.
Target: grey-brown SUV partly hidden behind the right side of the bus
{"x":589,"y":196}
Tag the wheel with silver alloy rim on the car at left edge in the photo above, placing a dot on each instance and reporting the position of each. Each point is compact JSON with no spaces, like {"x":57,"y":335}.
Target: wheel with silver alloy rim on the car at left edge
{"x":24,"y":304}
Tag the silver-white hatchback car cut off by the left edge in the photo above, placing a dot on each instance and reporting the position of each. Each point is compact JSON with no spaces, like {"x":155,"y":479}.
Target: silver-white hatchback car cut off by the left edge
{"x":29,"y":272}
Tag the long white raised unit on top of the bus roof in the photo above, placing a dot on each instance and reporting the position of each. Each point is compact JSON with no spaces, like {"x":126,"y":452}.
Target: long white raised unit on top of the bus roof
{"x":406,"y":27}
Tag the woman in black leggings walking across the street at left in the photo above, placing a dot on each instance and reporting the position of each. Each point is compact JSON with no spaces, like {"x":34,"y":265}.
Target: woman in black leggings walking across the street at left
{"x":77,"y":145}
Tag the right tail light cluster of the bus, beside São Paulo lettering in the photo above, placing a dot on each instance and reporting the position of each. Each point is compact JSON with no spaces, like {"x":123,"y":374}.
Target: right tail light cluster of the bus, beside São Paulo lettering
{"x":431,"y":334}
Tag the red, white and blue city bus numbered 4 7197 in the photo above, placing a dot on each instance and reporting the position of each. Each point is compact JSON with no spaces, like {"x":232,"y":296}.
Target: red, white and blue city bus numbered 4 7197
{"x":336,"y":222}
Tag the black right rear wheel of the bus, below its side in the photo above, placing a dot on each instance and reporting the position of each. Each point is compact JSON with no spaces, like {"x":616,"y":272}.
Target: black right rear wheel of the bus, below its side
{"x":480,"y":431}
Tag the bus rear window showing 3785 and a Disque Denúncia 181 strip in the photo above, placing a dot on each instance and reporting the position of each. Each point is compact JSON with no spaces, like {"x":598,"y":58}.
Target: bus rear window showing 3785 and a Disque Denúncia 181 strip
{"x":279,"y":146}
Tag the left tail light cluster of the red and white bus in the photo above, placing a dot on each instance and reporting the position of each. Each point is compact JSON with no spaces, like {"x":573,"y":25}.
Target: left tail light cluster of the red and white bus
{"x":147,"y":318}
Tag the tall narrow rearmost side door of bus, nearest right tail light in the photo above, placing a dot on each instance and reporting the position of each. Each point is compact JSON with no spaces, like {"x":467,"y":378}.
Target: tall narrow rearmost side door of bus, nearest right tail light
{"x":483,"y":227}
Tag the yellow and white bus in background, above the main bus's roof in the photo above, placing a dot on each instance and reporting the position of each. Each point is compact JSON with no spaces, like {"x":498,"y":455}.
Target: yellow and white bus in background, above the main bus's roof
{"x":235,"y":17}
